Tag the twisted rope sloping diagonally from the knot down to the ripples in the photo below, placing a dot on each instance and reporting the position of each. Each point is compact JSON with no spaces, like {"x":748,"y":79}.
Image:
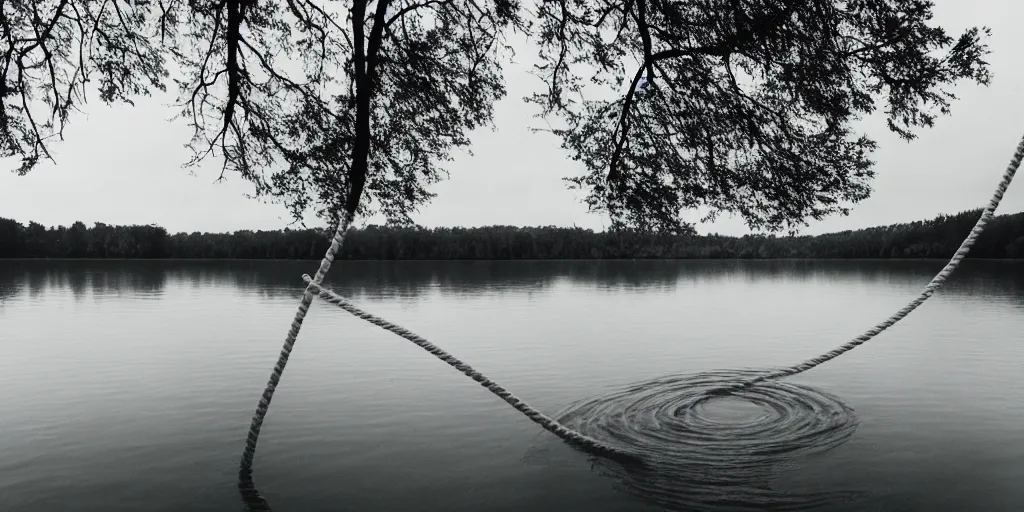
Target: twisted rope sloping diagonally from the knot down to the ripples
{"x":572,"y":437}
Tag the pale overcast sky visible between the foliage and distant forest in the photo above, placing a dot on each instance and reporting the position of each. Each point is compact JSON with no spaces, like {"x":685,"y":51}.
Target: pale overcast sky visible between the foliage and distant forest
{"x":123,"y":165}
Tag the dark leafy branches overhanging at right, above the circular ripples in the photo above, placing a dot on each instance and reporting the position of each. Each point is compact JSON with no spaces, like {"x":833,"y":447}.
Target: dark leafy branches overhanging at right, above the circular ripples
{"x":746,"y":106}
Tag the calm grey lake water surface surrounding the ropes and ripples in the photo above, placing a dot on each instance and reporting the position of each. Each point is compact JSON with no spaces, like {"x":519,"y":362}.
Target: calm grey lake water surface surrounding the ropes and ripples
{"x":130,"y":387}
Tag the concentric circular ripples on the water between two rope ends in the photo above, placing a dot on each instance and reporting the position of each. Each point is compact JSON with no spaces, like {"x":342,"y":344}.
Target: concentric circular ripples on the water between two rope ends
{"x":708,"y":452}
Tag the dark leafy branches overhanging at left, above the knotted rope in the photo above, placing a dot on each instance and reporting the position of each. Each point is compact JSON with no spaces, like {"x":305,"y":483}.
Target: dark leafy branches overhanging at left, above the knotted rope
{"x":313,"y":102}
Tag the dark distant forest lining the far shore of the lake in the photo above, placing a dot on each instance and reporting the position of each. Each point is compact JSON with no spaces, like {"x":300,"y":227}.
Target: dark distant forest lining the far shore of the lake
{"x":938,"y":238}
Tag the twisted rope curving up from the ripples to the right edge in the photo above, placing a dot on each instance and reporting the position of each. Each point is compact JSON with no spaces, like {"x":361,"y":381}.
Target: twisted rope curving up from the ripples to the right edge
{"x":929,"y":290}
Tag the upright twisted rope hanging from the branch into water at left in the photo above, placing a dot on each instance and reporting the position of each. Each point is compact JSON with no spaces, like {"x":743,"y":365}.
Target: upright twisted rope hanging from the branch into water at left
{"x":245,"y":472}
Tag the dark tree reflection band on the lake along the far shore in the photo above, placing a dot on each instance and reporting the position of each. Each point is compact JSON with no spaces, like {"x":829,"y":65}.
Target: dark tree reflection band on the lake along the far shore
{"x":474,"y":279}
